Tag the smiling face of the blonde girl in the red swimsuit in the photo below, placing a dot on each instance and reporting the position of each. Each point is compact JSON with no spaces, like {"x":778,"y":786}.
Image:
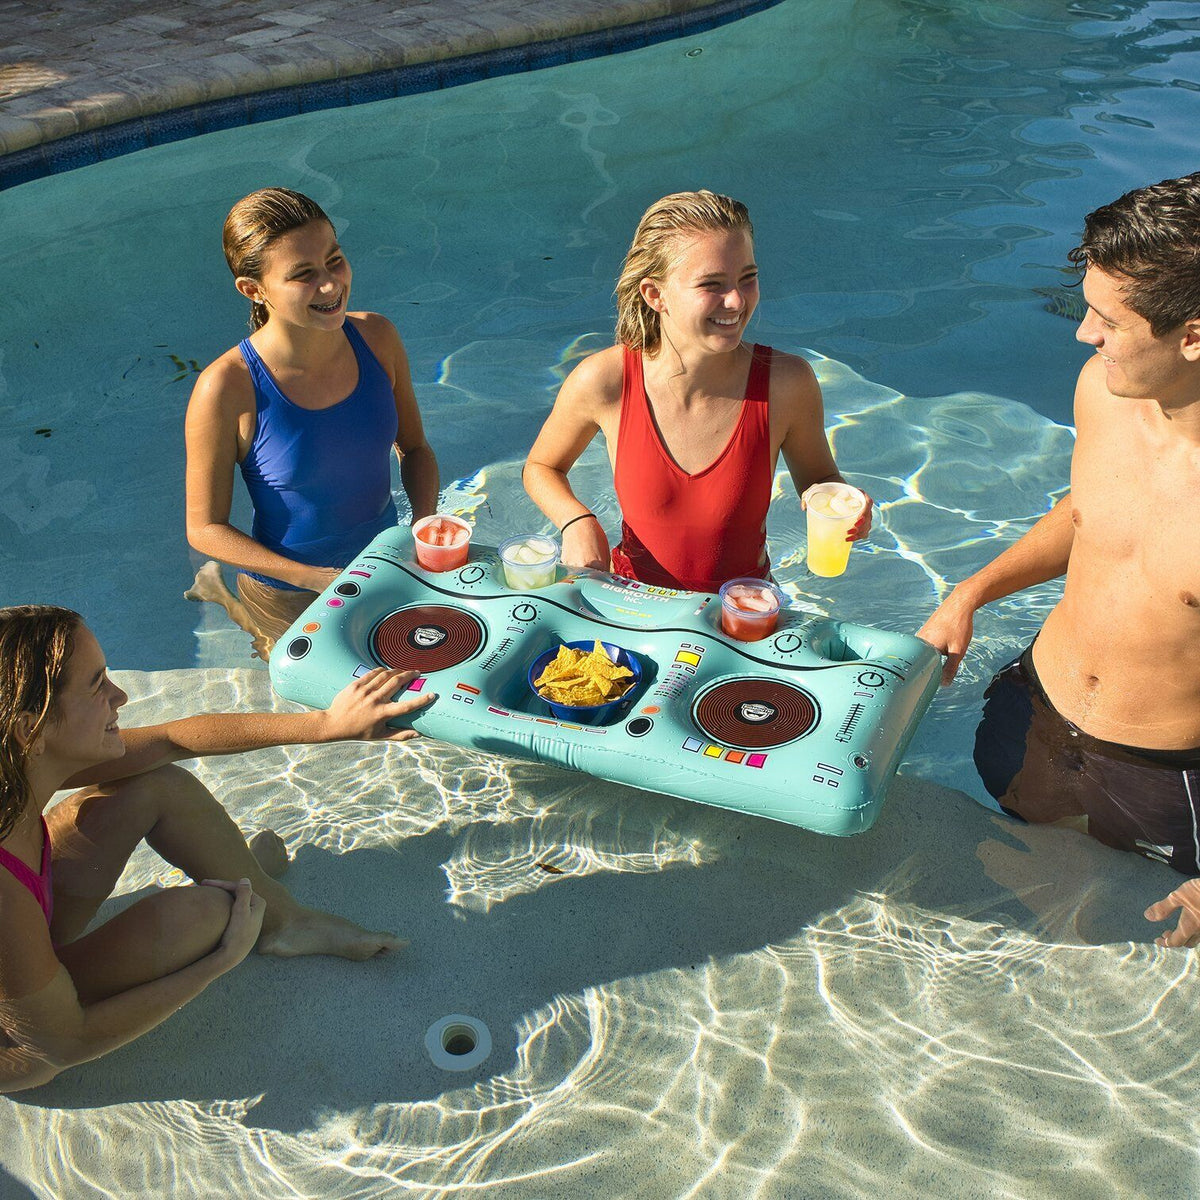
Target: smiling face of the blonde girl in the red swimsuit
{"x":709,"y":296}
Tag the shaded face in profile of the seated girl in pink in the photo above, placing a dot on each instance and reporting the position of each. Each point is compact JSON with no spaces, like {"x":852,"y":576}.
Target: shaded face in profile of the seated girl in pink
{"x":83,"y":730}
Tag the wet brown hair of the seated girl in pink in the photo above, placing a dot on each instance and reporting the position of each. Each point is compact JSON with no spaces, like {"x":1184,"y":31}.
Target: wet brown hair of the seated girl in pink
{"x":37,"y":644}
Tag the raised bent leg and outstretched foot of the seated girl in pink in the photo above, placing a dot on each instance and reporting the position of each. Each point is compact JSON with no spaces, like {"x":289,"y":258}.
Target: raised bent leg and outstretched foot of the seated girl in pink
{"x":94,"y":833}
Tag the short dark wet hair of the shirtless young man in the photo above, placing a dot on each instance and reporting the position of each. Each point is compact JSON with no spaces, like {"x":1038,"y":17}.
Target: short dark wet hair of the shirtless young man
{"x":1150,"y":239}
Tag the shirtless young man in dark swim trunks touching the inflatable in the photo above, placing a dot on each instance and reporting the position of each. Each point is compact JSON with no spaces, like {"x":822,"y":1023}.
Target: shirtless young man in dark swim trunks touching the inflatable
{"x":1097,"y":724}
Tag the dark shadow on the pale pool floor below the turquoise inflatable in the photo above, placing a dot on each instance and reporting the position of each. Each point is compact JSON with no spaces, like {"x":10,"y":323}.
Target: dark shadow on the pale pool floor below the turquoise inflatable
{"x":321,"y":1036}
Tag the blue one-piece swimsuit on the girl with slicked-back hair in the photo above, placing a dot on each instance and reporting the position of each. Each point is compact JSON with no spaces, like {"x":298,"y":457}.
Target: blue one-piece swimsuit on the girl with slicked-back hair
{"x":321,"y":479}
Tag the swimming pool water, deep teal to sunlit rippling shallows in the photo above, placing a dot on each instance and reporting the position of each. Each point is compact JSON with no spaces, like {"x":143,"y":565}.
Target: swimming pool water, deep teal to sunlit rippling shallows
{"x":923,"y":1004}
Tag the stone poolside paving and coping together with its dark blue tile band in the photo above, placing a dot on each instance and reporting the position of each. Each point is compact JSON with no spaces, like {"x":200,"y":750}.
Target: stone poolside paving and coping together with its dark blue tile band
{"x":314,"y":56}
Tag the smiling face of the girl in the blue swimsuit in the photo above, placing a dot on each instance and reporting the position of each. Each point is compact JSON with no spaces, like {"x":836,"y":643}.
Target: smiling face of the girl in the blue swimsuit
{"x":305,"y":279}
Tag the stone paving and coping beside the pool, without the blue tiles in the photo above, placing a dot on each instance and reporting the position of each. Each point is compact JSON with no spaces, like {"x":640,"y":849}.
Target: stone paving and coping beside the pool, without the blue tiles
{"x":68,"y":67}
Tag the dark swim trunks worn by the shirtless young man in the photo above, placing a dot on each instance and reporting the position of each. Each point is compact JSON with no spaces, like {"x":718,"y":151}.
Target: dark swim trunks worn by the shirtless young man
{"x":1041,"y":769}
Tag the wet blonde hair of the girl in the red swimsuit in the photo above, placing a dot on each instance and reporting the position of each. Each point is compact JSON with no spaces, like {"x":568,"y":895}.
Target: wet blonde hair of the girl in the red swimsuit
{"x":656,"y":249}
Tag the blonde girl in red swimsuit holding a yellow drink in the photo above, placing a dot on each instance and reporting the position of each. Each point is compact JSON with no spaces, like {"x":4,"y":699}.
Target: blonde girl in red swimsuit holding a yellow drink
{"x":693,"y":416}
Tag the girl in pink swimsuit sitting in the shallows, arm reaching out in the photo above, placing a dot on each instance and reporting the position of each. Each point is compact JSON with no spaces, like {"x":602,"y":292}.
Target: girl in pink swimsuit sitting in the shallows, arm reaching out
{"x":67,"y":995}
